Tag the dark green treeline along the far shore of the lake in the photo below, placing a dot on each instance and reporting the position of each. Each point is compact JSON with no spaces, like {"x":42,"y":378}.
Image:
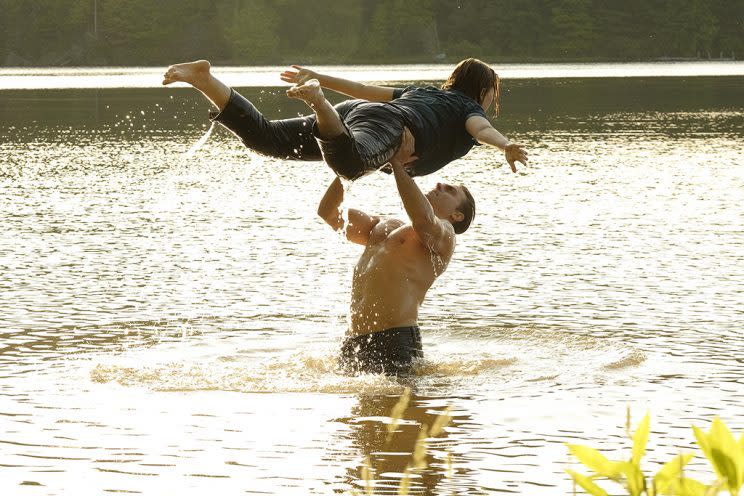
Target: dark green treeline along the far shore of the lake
{"x":254,"y":32}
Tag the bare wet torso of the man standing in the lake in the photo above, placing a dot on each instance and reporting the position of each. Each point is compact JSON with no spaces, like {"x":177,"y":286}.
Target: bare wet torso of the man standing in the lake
{"x":391,"y":278}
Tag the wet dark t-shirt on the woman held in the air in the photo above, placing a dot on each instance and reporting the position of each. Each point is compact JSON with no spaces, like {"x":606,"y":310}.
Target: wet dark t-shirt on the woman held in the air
{"x":436,"y":118}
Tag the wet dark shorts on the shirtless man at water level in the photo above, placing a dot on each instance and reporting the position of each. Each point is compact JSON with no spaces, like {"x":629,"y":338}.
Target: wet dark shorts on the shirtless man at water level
{"x":390,"y":352}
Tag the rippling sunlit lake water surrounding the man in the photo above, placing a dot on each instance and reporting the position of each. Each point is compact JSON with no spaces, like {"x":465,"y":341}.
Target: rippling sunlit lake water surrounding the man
{"x":169,"y":320}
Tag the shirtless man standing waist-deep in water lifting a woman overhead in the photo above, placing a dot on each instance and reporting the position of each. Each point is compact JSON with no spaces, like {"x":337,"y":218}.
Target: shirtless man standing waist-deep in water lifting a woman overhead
{"x":399,"y":264}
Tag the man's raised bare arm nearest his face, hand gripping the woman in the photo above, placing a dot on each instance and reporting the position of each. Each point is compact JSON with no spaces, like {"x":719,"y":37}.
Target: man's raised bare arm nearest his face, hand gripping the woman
{"x":434,"y":233}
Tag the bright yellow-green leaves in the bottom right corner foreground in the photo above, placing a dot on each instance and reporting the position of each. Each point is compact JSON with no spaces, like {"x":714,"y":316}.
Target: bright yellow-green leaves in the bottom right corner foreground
{"x":724,"y":452}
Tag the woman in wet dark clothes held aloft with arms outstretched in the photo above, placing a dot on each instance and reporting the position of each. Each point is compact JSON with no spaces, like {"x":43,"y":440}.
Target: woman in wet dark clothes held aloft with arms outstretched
{"x":359,"y":136}
